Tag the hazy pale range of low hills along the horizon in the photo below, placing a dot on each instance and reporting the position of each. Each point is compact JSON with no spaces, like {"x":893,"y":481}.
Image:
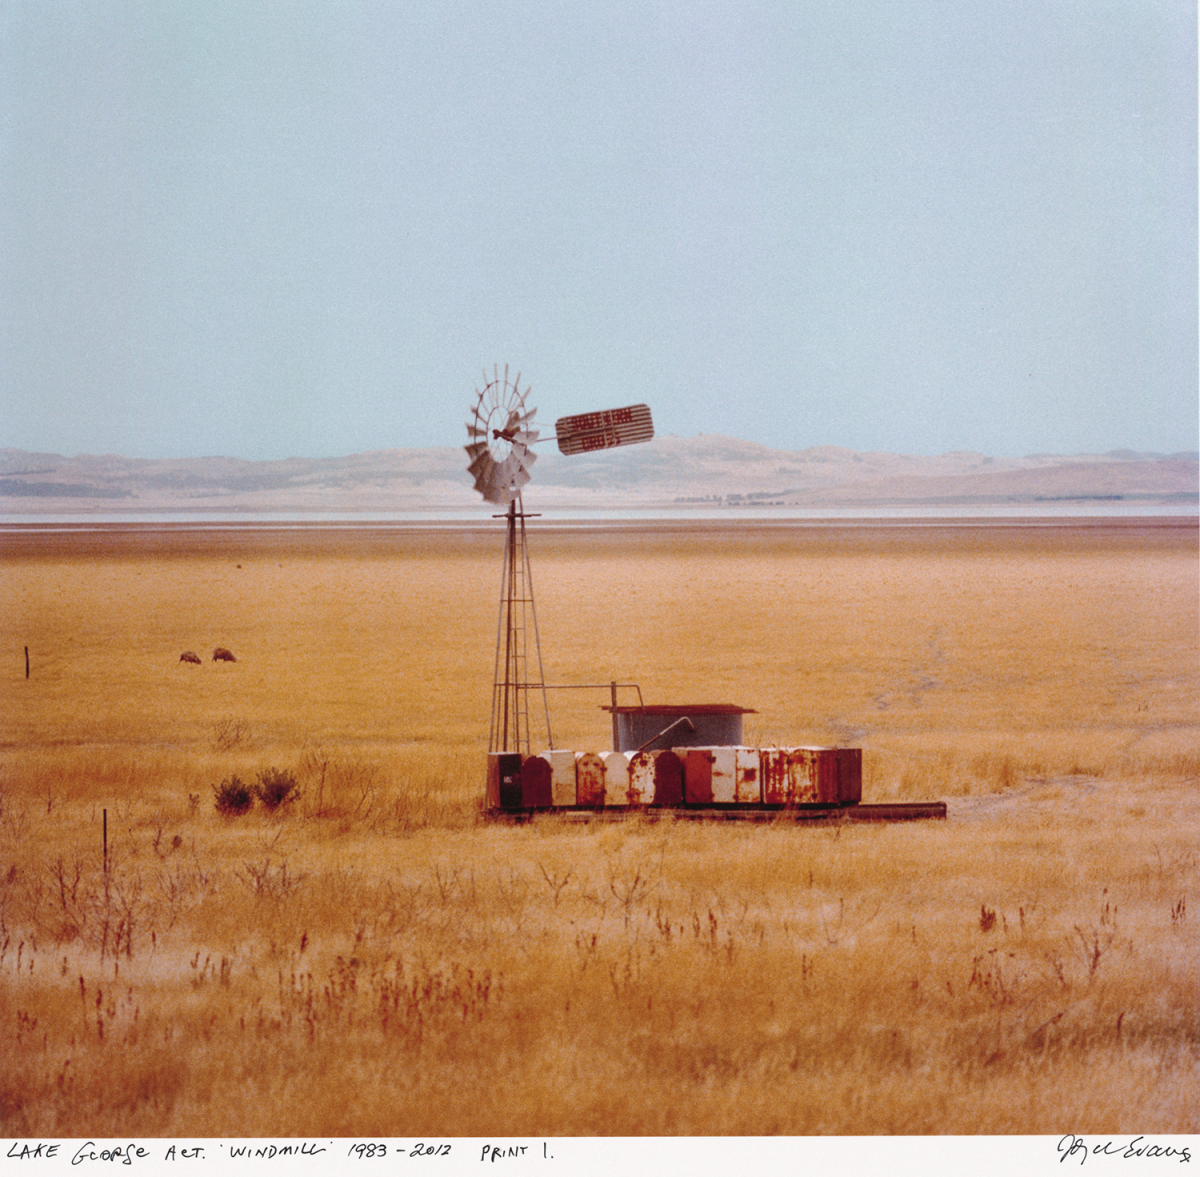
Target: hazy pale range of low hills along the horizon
{"x":670,"y":472}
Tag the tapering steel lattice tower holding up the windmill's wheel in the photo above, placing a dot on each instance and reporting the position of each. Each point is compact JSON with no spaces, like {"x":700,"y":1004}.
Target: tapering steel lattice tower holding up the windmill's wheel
{"x":512,"y":729}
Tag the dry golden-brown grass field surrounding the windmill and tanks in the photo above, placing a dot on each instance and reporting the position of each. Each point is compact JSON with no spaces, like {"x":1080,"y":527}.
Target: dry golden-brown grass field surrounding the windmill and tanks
{"x":375,"y":959}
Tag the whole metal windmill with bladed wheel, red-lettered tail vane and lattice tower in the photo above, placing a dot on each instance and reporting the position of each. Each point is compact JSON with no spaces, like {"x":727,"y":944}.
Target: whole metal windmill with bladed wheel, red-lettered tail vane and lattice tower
{"x":502,"y":435}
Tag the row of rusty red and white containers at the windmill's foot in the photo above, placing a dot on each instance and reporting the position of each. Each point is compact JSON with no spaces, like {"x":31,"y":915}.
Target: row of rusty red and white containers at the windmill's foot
{"x":680,"y":777}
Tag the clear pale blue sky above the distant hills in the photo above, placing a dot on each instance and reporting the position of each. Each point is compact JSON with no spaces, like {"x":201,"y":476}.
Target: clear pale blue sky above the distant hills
{"x":302,"y":229}
